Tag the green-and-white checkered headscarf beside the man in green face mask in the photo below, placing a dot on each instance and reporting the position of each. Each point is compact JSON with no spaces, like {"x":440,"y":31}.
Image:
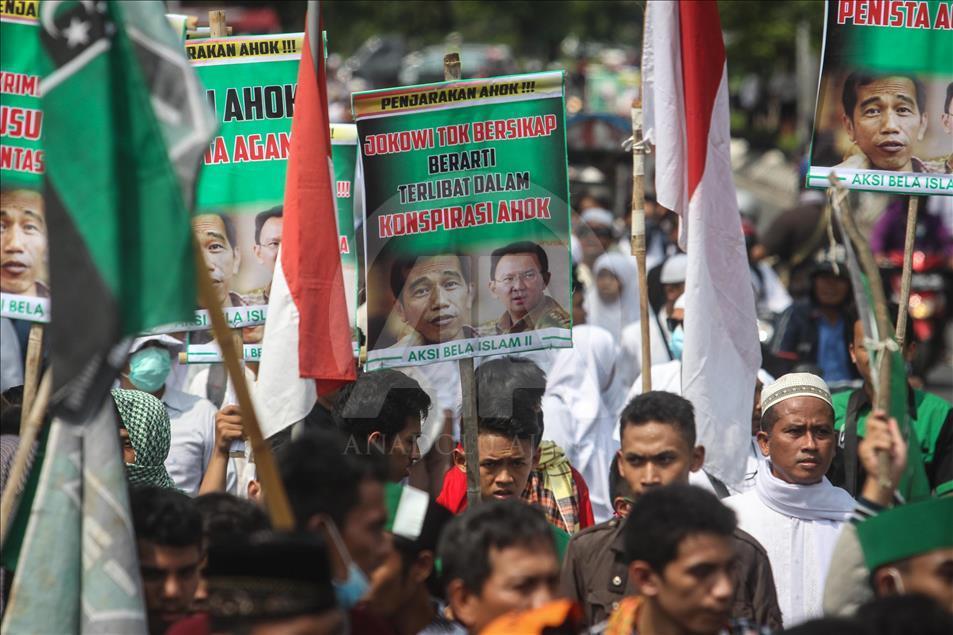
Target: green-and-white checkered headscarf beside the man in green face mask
{"x":150,"y":433}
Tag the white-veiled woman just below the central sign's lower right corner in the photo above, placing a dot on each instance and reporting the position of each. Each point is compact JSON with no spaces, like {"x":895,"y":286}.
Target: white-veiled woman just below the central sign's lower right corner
{"x":582,"y":395}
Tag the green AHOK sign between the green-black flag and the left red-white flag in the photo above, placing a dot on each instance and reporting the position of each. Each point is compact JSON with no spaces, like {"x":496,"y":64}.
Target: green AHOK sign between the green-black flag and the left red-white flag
{"x":250,"y":84}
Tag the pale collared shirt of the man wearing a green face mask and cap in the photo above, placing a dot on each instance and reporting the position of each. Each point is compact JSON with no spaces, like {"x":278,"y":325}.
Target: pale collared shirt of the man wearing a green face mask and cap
{"x":193,"y":441}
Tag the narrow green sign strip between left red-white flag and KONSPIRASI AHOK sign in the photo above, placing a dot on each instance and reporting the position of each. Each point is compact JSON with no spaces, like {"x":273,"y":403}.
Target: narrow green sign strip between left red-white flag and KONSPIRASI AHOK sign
{"x":344,"y":157}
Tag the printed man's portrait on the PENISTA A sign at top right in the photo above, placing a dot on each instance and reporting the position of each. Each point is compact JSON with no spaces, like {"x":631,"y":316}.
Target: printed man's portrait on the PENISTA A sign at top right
{"x":884,"y":119}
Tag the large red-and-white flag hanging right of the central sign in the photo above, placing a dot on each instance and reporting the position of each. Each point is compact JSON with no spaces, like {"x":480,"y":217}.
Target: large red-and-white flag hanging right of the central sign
{"x":685,"y":94}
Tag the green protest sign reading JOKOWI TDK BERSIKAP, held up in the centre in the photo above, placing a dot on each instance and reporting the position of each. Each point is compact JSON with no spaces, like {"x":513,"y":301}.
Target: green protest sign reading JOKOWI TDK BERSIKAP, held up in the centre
{"x":466,"y":219}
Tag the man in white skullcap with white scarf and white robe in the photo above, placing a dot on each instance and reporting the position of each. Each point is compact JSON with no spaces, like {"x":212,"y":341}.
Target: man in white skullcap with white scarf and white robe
{"x":793,"y":510}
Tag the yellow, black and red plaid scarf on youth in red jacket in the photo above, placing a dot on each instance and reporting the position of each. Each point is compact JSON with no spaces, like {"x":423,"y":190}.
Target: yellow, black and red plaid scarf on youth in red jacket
{"x":552,"y":488}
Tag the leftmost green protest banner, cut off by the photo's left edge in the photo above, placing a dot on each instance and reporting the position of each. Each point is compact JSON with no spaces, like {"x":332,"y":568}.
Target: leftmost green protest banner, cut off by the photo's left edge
{"x":24,"y":275}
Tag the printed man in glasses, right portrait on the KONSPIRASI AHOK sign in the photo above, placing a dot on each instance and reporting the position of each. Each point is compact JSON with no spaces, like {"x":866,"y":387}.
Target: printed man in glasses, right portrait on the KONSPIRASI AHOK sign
{"x":519,"y":275}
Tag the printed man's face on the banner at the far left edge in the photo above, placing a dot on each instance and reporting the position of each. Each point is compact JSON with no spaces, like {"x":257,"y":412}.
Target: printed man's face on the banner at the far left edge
{"x":23,"y":240}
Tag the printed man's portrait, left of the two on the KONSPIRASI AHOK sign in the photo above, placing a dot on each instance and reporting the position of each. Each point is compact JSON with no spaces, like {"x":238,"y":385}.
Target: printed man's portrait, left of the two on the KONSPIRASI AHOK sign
{"x":434,"y":296}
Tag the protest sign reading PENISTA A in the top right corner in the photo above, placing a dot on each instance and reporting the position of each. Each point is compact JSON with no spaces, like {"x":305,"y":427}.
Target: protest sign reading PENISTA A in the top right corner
{"x":883,"y":120}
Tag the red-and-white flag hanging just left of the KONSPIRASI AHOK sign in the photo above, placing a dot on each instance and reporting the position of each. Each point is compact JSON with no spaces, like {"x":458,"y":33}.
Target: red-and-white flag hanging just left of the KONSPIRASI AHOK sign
{"x":306,"y":349}
